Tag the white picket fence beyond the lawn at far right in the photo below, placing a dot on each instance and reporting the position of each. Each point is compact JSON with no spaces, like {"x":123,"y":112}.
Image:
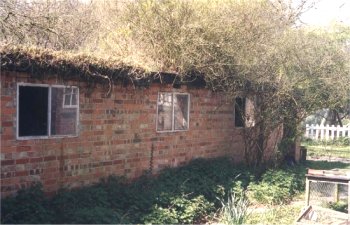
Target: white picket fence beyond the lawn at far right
{"x":321,"y":132}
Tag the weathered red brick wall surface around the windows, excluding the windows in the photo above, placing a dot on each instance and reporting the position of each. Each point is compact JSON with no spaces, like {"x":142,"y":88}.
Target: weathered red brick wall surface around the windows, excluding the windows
{"x":117,"y":135}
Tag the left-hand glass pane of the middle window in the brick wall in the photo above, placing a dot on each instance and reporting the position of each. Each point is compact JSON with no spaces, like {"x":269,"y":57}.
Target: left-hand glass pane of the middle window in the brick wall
{"x":165,"y":112}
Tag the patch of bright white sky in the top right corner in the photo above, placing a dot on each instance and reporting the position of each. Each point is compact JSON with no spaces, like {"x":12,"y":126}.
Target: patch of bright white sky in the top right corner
{"x":327,"y":11}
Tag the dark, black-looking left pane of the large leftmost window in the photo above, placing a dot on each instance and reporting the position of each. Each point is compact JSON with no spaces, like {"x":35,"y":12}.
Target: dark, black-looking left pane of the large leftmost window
{"x":33,"y":111}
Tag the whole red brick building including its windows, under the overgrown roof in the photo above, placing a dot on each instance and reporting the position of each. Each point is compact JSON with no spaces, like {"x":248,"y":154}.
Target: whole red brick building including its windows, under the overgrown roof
{"x":63,"y":132}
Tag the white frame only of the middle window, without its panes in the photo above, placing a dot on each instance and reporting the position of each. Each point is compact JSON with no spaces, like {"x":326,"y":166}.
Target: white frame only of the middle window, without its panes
{"x":173,"y":94}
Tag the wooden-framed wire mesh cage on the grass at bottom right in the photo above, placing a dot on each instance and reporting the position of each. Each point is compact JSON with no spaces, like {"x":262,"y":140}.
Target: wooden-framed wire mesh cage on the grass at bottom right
{"x":327,"y":197}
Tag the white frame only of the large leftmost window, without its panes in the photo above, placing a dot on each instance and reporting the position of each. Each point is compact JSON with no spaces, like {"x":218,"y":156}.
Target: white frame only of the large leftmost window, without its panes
{"x":49,"y":136}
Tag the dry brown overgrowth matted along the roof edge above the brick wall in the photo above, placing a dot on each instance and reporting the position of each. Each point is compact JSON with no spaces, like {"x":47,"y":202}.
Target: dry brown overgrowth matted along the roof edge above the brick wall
{"x":40,"y":62}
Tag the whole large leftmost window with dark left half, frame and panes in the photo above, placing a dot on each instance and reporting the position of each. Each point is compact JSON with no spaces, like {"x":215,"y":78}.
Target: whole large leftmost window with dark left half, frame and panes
{"x":47,"y":111}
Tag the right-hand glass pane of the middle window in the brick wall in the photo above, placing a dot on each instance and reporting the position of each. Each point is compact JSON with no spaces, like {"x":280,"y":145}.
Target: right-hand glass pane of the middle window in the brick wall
{"x":181,"y":103}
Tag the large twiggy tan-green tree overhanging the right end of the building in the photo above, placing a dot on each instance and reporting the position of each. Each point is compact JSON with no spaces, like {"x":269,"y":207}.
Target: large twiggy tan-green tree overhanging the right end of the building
{"x":243,"y":48}
